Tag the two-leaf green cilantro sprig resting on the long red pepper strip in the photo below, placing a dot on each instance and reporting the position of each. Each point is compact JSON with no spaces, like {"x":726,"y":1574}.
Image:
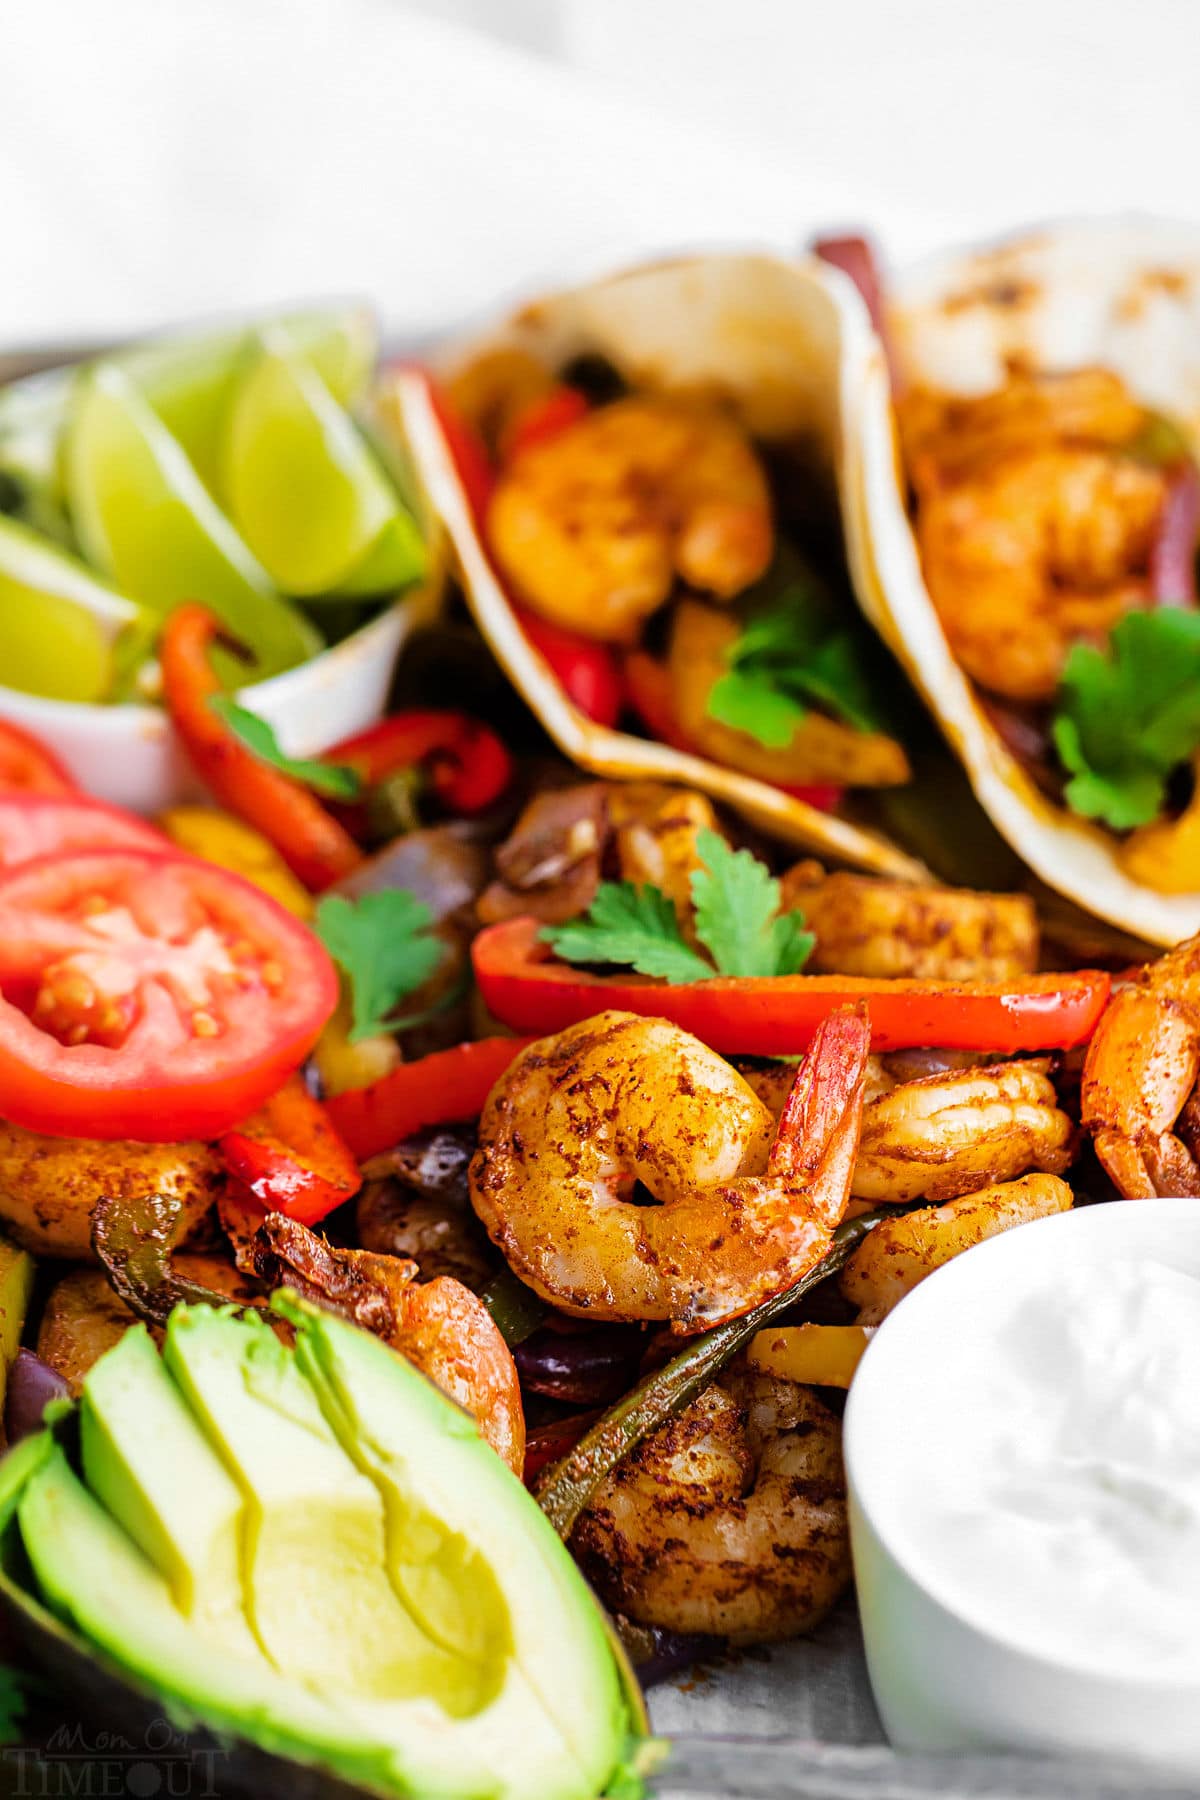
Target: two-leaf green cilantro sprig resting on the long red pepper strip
{"x":739,"y":922}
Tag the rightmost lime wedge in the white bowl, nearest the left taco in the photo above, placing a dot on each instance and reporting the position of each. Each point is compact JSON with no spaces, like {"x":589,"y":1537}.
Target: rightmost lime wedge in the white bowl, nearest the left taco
{"x":305,"y":489}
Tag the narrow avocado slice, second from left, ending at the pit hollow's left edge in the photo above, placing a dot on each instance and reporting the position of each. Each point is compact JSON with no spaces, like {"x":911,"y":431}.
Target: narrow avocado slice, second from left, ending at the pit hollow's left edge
{"x":183,"y":1509}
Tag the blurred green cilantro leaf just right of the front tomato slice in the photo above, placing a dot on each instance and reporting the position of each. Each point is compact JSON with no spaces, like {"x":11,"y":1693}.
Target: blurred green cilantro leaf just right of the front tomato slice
{"x":384,"y":946}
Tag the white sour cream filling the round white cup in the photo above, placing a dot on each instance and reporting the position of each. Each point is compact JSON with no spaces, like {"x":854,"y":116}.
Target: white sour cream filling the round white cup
{"x":1066,"y":1504}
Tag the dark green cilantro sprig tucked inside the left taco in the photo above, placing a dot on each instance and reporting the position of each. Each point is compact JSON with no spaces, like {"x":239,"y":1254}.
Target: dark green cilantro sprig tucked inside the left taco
{"x":794,"y":652}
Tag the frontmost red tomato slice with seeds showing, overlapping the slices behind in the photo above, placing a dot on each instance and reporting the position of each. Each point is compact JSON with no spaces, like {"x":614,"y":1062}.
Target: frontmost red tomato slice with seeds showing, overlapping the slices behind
{"x":150,"y":996}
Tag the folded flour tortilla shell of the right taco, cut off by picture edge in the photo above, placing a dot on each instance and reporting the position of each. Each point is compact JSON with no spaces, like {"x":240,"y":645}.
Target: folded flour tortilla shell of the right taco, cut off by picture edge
{"x":1124,"y":296}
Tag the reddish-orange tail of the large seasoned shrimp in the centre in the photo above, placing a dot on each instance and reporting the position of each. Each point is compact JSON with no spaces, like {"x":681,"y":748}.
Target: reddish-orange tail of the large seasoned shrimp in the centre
{"x":818,"y":1135}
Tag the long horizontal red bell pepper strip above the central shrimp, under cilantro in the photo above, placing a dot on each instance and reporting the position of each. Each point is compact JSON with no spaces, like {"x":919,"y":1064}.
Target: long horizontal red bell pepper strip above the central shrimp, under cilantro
{"x":778,"y":1016}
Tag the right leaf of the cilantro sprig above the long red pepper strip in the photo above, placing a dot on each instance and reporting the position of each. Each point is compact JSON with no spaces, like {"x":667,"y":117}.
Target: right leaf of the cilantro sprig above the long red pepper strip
{"x":739,"y":919}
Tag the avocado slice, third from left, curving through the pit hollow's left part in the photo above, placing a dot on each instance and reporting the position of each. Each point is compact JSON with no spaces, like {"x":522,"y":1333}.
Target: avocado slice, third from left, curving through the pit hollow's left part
{"x":318,"y":1590}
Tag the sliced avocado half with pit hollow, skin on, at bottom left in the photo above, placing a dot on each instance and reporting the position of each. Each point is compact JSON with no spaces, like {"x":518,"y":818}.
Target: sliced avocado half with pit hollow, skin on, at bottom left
{"x":309,"y":1558}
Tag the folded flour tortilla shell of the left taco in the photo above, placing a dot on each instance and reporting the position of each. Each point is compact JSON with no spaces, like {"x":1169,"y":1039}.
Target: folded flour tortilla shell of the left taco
{"x":784,"y":346}
